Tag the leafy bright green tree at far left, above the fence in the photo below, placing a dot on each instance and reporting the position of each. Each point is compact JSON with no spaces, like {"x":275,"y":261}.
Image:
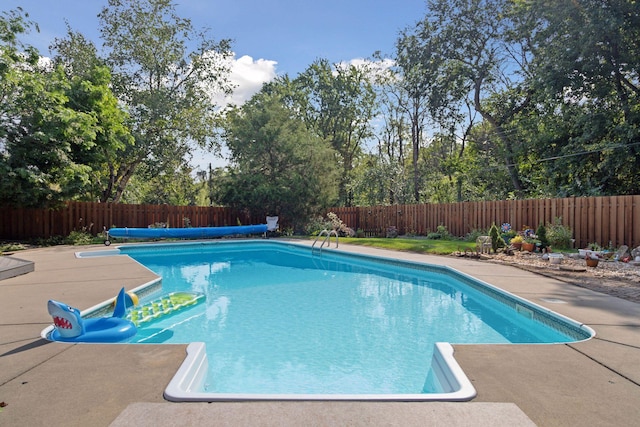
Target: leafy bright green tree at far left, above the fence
{"x":44,"y":140}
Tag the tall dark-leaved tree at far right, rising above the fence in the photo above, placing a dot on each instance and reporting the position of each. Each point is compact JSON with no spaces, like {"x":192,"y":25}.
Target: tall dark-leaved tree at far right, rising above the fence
{"x":586,"y":125}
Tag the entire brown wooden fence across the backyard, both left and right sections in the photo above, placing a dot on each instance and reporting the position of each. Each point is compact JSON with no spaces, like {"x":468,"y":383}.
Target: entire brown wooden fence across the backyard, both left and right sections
{"x":614,"y":219}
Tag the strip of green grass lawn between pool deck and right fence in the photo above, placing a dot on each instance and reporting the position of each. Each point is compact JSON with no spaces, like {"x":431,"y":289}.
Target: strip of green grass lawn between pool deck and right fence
{"x":419,"y":245}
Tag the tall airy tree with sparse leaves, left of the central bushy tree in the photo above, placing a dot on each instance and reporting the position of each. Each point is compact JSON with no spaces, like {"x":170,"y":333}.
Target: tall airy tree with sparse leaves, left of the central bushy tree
{"x":166,"y":85}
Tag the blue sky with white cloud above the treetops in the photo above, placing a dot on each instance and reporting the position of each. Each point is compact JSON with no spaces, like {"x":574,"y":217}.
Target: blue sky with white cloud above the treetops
{"x":269,"y":37}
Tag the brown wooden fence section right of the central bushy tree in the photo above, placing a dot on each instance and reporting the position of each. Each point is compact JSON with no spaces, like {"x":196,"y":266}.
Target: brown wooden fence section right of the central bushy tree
{"x":614,"y":219}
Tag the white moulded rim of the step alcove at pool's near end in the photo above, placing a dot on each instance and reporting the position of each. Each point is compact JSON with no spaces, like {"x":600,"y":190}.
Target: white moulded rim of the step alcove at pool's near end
{"x":187,"y":383}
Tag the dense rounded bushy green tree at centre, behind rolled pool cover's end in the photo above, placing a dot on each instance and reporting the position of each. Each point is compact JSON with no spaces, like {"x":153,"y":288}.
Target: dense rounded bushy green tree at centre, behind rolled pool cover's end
{"x":279,"y":166}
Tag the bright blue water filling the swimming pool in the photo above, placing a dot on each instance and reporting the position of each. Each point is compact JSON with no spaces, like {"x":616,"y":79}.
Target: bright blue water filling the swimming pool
{"x":277,"y":320}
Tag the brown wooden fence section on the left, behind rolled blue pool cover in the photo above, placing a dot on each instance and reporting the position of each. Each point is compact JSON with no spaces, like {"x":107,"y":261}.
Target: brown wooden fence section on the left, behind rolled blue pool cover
{"x":27,"y":223}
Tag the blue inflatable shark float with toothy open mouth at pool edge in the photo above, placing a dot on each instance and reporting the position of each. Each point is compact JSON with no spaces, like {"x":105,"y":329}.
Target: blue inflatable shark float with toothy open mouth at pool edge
{"x":69,"y":326}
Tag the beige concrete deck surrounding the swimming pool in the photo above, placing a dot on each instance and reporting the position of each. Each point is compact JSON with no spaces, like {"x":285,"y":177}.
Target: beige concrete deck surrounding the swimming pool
{"x":596,"y":382}
